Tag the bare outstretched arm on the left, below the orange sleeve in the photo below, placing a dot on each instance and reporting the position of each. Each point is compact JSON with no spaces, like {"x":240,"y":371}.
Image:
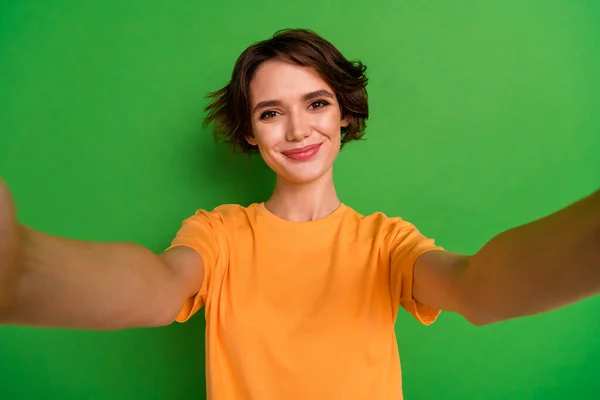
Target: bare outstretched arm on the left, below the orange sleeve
{"x":49,"y":281}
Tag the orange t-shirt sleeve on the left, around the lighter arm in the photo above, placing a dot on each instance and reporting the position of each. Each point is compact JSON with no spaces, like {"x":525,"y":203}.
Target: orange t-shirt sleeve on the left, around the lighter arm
{"x":197,"y":232}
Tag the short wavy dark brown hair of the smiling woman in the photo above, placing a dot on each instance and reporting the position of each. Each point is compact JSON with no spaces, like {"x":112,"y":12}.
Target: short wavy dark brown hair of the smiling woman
{"x":229,"y":110}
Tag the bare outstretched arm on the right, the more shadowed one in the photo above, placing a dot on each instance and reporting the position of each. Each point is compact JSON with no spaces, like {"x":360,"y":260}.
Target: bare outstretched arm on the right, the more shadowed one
{"x":533,"y":268}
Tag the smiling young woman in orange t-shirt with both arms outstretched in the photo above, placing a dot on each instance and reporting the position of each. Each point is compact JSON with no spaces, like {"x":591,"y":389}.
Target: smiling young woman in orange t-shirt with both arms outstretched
{"x":301,"y":292}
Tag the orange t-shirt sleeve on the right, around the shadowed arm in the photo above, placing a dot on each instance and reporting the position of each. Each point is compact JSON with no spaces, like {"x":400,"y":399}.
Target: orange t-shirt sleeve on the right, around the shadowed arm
{"x":407,"y":243}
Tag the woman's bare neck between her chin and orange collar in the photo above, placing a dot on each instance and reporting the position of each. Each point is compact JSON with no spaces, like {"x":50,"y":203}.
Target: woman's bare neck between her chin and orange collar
{"x":301,"y":202}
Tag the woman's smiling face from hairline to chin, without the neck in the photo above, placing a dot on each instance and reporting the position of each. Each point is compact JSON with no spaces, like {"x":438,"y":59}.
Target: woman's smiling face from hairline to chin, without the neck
{"x":296,"y":121}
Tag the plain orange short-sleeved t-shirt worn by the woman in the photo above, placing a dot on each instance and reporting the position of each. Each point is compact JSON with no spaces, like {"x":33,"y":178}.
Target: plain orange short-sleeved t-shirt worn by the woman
{"x":303,"y":310}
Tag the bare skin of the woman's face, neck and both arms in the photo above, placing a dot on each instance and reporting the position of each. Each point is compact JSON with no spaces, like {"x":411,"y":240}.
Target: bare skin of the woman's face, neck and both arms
{"x":51,"y":281}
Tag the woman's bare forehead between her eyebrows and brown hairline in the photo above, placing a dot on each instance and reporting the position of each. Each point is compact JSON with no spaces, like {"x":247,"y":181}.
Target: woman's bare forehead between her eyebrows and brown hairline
{"x":280,"y":80}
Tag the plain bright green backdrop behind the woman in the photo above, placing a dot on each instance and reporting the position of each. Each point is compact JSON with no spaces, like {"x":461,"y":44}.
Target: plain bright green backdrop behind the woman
{"x":484,"y":115}
